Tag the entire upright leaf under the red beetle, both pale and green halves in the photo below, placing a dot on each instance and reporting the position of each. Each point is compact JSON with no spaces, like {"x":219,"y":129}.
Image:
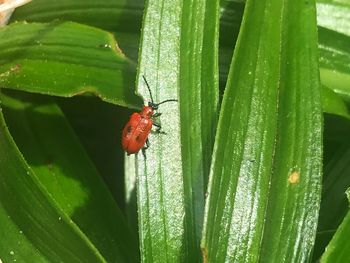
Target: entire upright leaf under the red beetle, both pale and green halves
{"x":171,"y":180}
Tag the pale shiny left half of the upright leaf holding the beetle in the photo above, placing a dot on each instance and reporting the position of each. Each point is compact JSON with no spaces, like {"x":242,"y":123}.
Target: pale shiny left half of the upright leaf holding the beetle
{"x":160,"y":190}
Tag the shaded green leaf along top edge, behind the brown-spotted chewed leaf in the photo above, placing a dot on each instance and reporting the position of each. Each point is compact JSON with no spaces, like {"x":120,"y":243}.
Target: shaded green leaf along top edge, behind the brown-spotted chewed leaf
{"x":122,"y":17}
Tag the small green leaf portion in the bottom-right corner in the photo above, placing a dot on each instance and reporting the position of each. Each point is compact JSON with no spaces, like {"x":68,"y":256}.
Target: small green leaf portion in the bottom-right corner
{"x":338,"y":249}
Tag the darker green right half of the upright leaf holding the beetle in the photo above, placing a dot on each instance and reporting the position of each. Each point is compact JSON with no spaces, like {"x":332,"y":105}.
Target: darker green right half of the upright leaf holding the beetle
{"x":199,"y":92}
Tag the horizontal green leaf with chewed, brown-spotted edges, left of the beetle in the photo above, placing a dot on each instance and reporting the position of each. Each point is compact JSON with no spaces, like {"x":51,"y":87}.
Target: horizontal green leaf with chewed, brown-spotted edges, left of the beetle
{"x":65,"y":59}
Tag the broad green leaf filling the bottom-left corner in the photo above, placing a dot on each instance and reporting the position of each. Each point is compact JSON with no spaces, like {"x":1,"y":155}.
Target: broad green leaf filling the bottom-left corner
{"x":32,"y":225}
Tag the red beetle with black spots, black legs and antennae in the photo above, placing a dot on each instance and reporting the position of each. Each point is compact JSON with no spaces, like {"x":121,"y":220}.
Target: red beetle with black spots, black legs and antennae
{"x":136,"y":131}
